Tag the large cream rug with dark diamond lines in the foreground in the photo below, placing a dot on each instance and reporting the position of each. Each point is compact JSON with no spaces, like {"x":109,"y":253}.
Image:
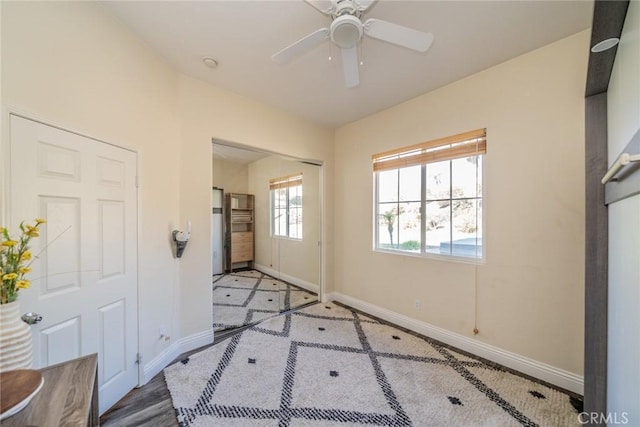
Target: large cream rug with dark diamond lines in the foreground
{"x":326,"y":365}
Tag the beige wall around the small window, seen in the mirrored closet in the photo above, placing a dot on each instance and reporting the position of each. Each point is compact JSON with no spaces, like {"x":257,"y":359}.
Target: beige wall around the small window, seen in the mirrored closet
{"x":294,"y":258}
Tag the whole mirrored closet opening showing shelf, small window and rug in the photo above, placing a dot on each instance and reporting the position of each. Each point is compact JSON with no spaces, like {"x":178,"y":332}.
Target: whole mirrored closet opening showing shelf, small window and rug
{"x":284,"y":271}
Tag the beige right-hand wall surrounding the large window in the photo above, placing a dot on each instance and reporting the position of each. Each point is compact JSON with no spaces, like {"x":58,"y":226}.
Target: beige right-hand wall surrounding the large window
{"x":530,"y":289}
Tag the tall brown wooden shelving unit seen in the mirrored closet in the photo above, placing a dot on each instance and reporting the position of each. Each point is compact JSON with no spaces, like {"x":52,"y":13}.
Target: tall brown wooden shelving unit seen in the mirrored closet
{"x":239,"y":231}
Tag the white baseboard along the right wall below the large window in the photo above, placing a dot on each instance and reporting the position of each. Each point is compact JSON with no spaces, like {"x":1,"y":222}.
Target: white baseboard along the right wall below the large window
{"x":559,"y":377}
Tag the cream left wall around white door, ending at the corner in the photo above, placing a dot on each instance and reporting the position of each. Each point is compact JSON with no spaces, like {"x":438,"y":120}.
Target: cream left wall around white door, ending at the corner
{"x":72,"y":65}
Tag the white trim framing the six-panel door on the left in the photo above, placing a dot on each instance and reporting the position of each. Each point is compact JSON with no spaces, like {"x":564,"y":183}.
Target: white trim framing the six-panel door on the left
{"x":5,"y":193}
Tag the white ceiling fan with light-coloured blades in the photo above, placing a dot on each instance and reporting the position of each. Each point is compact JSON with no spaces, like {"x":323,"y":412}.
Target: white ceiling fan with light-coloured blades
{"x":346,"y":31}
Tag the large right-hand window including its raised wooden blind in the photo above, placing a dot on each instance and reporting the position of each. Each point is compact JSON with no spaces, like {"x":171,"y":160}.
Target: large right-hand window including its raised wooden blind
{"x":429,"y":197}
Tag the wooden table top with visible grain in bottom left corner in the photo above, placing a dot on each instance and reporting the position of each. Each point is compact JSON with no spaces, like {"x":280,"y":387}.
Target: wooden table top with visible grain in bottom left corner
{"x":69,"y":397}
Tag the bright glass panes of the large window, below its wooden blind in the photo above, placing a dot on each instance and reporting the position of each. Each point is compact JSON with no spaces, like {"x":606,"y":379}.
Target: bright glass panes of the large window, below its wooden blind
{"x":449,"y":193}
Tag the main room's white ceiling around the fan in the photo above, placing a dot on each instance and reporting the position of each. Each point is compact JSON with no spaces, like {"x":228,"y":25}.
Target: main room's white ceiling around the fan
{"x":242,"y":35}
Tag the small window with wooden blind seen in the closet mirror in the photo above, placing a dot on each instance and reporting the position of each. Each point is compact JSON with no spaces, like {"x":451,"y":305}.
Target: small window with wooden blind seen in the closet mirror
{"x":286,"y":206}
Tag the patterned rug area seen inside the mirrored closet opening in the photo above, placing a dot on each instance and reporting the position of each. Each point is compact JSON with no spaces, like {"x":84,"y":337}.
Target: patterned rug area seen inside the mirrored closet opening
{"x":249,"y":296}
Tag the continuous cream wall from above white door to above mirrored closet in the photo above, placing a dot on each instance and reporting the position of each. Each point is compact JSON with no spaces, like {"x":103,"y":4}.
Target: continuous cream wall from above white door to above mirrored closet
{"x":73,"y":65}
